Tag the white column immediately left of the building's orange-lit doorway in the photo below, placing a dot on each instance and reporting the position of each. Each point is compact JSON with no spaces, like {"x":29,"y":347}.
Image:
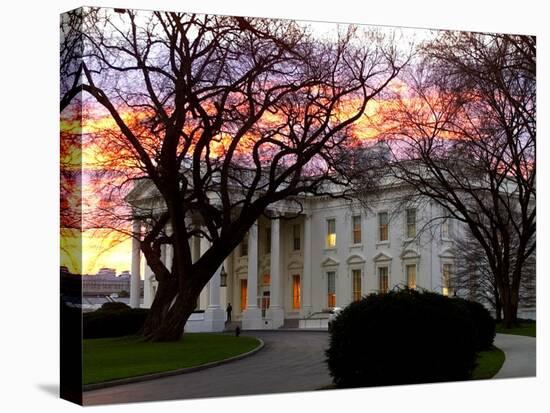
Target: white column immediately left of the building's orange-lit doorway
{"x":252,"y":316}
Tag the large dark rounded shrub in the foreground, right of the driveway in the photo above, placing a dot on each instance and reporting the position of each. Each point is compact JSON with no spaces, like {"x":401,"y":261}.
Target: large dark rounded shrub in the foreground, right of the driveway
{"x":401,"y":337}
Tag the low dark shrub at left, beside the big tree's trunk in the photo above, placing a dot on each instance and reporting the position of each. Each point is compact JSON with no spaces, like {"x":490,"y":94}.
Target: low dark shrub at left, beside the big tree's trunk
{"x":113,"y":321}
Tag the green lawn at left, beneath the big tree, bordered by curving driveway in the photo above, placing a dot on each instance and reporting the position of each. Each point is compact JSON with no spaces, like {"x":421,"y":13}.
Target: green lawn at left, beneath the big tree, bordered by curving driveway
{"x":116,"y":358}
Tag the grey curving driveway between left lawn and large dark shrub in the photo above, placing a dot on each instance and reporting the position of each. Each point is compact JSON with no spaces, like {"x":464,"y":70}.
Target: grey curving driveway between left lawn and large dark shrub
{"x":289,"y":362}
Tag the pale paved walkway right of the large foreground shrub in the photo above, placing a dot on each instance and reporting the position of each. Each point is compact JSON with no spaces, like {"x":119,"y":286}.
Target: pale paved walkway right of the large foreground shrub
{"x":520,"y":353}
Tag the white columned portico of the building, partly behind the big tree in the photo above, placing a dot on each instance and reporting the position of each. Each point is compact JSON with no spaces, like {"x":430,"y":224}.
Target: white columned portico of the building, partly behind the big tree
{"x":266,"y":277}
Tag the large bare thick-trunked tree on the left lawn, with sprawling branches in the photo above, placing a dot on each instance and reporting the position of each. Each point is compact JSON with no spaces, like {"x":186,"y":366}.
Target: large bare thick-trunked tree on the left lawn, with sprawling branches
{"x":223,"y":116}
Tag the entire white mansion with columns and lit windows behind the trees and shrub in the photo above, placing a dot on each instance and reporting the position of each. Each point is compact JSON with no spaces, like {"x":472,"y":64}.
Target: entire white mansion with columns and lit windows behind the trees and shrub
{"x":293,"y":271}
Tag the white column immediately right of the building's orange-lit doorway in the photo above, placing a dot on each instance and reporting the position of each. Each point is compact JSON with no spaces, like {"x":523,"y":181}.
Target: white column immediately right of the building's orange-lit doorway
{"x":276,"y":311}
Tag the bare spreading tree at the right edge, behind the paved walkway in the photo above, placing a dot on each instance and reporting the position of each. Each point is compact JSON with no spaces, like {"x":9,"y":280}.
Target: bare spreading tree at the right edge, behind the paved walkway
{"x":464,"y":135}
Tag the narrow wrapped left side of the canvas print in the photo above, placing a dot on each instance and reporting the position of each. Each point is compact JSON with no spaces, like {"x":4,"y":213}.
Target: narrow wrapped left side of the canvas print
{"x":71,"y":206}
